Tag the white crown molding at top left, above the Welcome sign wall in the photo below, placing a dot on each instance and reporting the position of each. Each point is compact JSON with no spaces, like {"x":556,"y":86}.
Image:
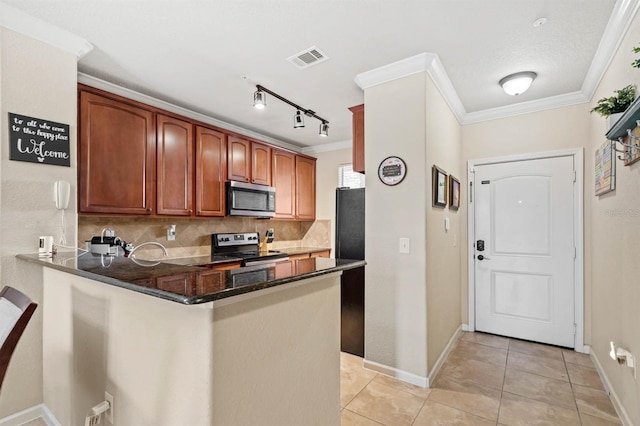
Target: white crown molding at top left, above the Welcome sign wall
{"x":20,"y":22}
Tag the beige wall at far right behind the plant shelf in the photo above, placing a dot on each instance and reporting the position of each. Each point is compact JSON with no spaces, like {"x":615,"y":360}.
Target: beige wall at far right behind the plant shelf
{"x":615,"y":248}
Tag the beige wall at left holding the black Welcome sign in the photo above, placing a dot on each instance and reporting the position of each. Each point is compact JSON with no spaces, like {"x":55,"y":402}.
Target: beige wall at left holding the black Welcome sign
{"x":36,"y":80}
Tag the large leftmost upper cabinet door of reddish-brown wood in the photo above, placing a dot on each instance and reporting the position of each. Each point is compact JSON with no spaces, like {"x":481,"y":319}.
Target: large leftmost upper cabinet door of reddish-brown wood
{"x":117,"y":156}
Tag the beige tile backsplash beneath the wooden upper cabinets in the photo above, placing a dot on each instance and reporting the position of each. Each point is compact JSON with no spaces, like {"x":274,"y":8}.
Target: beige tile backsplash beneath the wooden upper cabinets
{"x":193,"y":236}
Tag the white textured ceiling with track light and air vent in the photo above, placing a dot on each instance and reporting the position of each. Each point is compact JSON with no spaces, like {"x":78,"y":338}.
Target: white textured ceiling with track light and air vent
{"x":208,"y":56}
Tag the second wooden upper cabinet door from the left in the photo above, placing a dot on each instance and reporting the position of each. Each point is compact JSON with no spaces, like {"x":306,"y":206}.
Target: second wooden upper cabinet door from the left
{"x":174,"y":166}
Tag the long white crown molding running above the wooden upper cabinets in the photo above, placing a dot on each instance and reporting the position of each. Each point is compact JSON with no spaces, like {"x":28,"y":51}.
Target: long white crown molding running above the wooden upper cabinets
{"x":92,"y":81}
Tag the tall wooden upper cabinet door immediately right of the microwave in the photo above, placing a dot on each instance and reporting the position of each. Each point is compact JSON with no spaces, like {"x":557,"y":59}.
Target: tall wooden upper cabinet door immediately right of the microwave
{"x":284,"y":180}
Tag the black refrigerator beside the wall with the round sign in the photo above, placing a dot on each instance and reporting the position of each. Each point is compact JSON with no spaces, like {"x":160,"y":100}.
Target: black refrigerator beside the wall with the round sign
{"x":350,"y":245}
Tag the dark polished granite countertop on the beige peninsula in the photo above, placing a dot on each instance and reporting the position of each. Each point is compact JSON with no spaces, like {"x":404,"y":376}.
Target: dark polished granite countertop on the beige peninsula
{"x":188,"y":284}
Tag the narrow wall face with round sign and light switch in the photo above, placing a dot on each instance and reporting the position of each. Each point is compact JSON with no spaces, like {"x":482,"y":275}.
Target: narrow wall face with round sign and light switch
{"x":395,"y":296}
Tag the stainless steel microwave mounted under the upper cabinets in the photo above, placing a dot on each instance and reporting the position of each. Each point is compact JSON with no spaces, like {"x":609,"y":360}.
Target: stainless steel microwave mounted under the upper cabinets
{"x":248,"y":199}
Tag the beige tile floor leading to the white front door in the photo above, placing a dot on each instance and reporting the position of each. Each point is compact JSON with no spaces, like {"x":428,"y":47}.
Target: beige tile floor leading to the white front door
{"x":486,"y":380}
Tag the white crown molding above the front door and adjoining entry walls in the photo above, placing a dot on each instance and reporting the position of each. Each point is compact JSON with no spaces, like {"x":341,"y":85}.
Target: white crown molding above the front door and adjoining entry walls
{"x":621,"y":18}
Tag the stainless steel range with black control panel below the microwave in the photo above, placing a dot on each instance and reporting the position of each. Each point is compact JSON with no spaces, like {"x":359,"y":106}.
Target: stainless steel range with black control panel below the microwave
{"x":245,"y":245}
